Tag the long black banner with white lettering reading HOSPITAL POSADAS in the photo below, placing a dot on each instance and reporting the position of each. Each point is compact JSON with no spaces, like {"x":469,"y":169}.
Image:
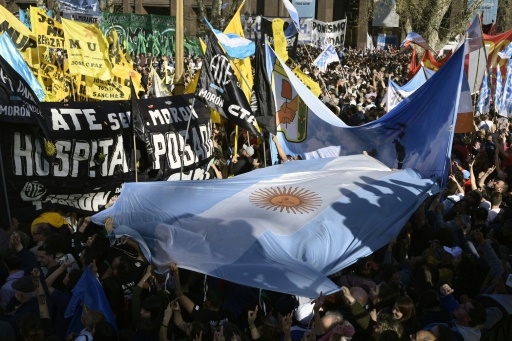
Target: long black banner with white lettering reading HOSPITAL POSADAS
{"x":94,"y":151}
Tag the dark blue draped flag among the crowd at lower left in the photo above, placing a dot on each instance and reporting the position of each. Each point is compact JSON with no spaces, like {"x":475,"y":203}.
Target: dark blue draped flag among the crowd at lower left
{"x":88,"y":292}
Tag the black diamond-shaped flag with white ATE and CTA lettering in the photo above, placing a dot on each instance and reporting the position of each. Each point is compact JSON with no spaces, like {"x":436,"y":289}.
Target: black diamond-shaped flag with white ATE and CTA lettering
{"x":219,"y":88}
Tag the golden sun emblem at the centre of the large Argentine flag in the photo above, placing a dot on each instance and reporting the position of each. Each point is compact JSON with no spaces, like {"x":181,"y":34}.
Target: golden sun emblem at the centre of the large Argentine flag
{"x":292,"y":200}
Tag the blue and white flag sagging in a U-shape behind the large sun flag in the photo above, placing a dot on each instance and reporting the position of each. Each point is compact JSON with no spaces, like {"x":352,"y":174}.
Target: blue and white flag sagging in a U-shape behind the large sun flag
{"x":410,"y":136}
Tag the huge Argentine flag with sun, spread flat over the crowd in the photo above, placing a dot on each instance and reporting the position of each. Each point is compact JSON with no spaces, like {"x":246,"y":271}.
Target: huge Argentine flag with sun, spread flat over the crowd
{"x":283,"y":228}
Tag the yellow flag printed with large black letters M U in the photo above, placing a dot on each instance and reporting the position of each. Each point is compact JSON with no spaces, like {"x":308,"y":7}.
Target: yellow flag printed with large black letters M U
{"x":87,"y":50}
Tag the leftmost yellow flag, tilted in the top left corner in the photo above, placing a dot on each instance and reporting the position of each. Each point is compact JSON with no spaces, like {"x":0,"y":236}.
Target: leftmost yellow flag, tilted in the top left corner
{"x":21,"y":36}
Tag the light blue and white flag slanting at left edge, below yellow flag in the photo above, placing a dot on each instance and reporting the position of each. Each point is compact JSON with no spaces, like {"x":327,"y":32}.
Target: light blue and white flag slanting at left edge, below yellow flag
{"x":11,"y":54}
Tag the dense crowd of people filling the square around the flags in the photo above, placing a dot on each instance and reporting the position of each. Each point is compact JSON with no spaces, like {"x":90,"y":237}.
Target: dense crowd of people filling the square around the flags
{"x":446,"y":276}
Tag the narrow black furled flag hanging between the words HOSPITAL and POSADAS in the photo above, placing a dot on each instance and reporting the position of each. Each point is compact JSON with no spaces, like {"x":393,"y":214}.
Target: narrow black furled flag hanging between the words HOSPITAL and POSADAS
{"x":147,"y":154}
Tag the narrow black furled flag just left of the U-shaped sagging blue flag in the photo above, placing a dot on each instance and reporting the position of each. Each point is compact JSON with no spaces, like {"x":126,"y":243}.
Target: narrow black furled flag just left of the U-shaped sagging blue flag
{"x":265,"y":106}
